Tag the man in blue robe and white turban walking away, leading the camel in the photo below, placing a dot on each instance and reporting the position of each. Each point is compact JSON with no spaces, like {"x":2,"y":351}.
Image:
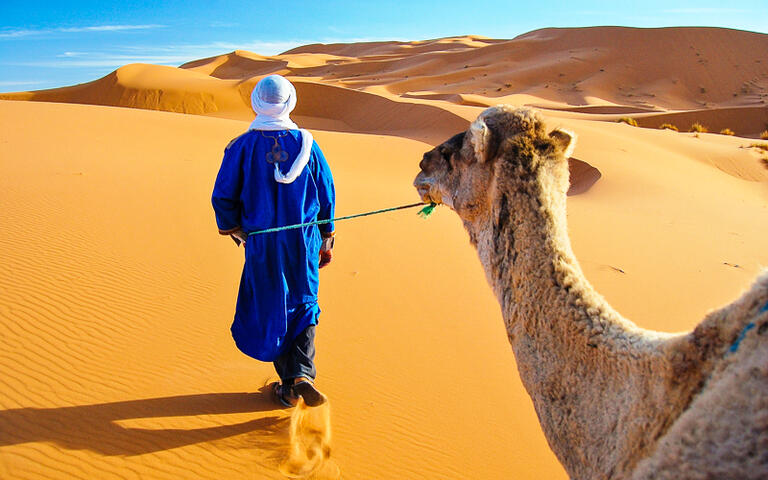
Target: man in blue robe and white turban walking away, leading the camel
{"x":271,"y":176}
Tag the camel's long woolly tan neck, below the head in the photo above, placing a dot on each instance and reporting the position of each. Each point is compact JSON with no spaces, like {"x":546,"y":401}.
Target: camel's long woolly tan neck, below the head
{"x":576,"y":355}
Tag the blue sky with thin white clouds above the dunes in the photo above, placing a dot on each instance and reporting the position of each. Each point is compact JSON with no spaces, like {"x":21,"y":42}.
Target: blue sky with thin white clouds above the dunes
{"x":46,"y":44}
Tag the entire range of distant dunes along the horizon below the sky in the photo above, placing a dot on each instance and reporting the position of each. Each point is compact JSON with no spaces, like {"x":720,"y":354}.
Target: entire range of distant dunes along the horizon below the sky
{"x":592,"y":70}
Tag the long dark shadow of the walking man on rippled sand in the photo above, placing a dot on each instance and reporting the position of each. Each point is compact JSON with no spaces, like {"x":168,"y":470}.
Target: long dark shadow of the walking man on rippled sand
{"x":96,"y":427}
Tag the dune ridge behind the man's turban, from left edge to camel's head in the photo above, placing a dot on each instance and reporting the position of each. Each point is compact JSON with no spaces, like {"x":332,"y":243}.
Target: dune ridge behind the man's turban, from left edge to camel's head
{"x":156,"y":87}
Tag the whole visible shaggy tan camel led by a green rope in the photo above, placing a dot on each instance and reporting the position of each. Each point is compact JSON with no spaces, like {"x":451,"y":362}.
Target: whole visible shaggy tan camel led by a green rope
{"x":615,"y":401}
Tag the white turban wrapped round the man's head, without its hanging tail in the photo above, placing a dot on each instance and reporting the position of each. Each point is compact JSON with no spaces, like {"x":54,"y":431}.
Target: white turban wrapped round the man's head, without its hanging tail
{"x":273,"y":99}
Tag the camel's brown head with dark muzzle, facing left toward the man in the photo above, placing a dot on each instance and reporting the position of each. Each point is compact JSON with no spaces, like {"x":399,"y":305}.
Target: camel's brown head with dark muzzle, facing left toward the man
{"x":505,"y":145}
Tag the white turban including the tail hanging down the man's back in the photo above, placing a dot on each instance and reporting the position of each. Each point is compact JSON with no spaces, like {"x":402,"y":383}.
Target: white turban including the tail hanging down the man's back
{"x":273,"y":99}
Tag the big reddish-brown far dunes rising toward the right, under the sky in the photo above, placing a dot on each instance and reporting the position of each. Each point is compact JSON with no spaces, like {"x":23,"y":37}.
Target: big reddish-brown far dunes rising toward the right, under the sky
{"x":670,"y":68}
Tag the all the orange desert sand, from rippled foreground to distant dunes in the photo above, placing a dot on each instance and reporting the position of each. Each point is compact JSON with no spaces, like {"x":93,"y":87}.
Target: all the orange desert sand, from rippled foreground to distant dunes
{"x":116,"y":293}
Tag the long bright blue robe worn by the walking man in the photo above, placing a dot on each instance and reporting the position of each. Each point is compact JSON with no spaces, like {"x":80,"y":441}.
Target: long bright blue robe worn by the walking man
{"x":278,"y":288}
